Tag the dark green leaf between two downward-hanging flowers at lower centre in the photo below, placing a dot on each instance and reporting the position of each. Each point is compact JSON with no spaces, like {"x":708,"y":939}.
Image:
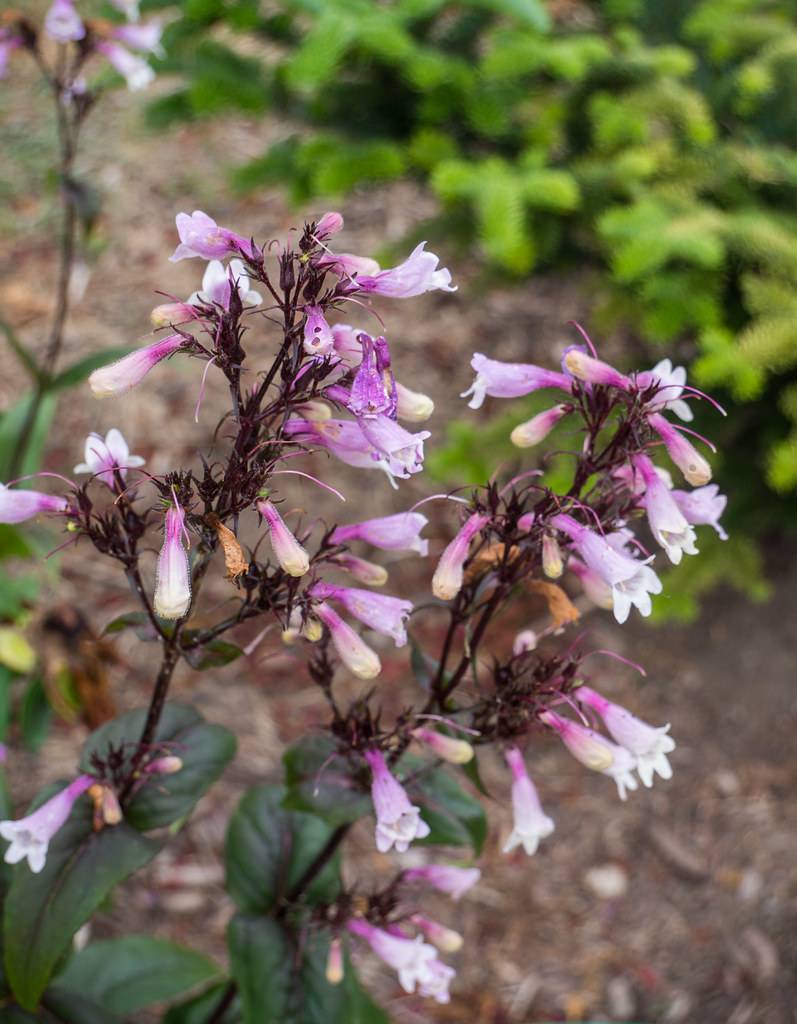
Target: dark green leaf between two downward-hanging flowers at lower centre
{"x":455,"y":818}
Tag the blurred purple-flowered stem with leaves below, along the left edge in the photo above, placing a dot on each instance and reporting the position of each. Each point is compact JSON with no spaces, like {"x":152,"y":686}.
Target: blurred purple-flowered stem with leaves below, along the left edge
{"x":65,"y":677}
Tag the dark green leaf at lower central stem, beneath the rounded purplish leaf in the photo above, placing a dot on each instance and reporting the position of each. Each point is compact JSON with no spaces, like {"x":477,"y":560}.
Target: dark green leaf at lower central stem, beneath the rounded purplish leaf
{"x":269,"y":849}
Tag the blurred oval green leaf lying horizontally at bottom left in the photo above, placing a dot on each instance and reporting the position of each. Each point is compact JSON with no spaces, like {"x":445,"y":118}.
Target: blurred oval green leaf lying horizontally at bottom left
{"x":128,"y":974}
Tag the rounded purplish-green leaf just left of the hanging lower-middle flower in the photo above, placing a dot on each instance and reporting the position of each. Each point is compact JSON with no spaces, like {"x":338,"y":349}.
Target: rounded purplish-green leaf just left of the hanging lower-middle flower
{"x":319,"y":780}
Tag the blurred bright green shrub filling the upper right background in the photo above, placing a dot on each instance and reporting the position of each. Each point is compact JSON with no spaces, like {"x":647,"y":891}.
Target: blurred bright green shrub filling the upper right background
{"x":648,"y":141}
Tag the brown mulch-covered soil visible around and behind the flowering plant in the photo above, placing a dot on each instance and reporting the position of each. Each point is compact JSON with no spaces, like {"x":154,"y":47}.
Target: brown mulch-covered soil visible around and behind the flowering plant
{"x":680,"y":906}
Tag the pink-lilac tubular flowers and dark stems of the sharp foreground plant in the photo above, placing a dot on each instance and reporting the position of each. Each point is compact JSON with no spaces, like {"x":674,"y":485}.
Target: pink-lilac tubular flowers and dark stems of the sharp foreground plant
{"x":331,"y":391}
